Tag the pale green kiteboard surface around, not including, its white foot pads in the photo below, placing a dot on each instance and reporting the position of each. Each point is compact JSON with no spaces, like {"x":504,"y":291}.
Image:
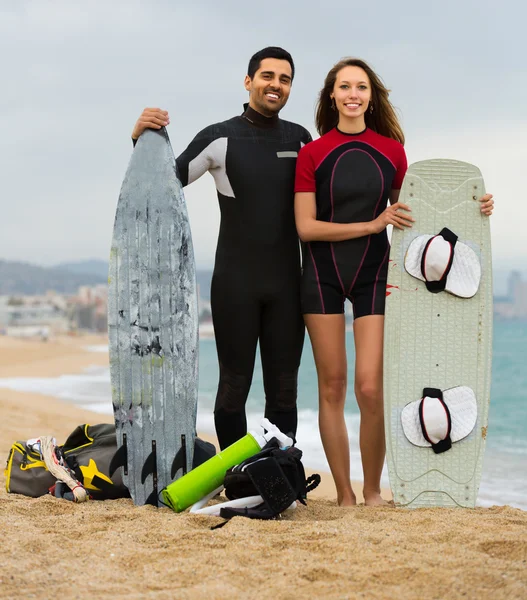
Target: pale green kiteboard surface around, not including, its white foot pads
{"x":437,"y":340}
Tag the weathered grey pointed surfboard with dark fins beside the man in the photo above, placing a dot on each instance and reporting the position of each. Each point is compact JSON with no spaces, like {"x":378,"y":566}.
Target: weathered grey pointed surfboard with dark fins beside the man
{"x":152,"y":323}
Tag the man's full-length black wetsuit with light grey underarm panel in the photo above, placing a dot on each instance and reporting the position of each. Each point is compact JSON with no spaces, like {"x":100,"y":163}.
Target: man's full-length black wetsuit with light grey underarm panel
{"x":255,"y":294}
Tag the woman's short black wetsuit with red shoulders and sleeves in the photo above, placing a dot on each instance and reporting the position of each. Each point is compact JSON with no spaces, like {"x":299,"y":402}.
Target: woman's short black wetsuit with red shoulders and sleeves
{"x":352,"y":175}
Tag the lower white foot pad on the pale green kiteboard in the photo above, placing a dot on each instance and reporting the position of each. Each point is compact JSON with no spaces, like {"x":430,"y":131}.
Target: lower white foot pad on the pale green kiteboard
{"x":461,"y":402}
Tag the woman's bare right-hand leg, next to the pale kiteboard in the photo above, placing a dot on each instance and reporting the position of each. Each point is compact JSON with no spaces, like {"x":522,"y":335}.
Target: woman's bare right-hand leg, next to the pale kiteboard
{"x":369,"y":339}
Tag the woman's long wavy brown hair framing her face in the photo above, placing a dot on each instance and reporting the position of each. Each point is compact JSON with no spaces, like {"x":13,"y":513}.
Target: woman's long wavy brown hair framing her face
{"x":383,"y":120}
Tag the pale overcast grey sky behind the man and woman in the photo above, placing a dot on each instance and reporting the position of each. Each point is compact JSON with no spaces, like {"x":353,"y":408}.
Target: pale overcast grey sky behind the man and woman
{"x":77,"y":74}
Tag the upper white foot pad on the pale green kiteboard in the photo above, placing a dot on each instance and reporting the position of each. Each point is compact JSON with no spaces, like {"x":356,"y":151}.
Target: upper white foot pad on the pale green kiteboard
{"x":465,"y":274}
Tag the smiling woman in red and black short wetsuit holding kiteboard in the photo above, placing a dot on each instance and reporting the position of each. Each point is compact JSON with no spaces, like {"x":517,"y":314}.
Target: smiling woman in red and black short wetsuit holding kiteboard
{"x":344,"y":180}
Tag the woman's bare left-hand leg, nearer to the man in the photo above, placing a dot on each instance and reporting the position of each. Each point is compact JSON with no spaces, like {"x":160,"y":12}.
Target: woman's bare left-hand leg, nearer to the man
{"x":327,"y":334}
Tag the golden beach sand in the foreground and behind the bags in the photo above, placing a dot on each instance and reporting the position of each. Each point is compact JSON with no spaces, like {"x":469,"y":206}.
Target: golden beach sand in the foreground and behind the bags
{"x":113,"y":549}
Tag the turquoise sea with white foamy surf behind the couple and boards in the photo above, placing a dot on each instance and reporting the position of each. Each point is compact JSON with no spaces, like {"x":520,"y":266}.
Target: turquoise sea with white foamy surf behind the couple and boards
{"x":504,"y":479}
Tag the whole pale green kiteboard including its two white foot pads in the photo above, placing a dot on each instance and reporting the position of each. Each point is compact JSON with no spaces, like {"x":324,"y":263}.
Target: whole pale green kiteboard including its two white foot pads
{"x":438,"y":338}
